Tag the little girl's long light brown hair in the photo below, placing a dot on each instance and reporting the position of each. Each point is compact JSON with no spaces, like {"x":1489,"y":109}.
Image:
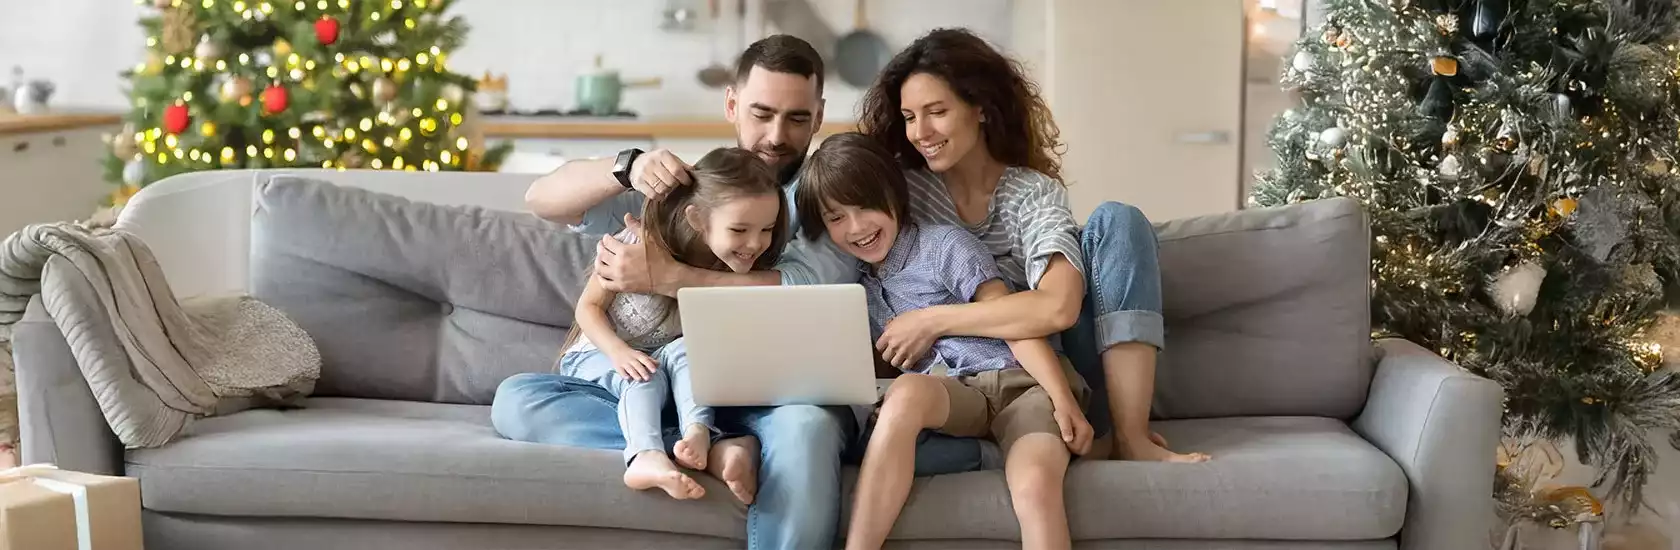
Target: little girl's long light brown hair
{"x":722,"y":176}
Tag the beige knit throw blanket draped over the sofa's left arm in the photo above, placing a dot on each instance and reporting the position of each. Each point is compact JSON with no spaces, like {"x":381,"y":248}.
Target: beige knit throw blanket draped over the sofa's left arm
{"x":154,"y":362}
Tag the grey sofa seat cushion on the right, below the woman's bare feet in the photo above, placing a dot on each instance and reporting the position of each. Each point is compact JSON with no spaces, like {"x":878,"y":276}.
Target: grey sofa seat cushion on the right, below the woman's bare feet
{"x":1271,"y":479}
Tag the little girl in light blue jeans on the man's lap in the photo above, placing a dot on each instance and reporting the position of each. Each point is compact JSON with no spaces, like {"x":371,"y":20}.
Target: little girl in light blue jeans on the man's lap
{"x":733,"y":218}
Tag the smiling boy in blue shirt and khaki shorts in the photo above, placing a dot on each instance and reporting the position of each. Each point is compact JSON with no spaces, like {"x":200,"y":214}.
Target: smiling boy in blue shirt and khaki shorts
{"x":1017,"y":393}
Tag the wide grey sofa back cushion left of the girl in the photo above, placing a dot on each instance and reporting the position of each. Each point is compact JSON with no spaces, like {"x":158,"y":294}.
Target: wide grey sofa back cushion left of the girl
{"x":414,"y":300}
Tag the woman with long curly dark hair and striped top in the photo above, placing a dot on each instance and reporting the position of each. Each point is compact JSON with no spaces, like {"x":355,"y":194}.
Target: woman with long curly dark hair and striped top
{"x":982,"y":152}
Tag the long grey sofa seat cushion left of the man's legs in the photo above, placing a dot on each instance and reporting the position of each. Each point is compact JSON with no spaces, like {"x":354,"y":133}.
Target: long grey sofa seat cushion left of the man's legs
{"x":411,"y":462}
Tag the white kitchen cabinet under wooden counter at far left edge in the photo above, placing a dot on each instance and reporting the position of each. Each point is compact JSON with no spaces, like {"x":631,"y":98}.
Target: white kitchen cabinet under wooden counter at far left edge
{"x":51,"y":176}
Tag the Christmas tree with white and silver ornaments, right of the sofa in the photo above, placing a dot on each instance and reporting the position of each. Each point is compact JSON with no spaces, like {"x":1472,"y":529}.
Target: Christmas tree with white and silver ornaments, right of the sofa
{"x":1518,"y":162}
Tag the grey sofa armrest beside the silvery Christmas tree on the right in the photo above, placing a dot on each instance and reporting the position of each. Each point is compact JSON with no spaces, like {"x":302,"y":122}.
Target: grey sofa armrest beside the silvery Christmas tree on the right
{"x":1442,"y":426}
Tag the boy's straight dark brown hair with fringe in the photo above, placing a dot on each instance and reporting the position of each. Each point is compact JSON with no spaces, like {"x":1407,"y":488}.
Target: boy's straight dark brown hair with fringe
{"x":856,"y":171}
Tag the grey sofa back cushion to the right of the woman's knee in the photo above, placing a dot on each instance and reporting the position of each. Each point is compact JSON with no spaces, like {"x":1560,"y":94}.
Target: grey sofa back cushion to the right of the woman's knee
{"x":1268,"y":314}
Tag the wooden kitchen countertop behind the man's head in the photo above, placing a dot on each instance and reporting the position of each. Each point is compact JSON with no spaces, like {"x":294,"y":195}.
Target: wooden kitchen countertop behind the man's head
{"x":612,"y":129}
